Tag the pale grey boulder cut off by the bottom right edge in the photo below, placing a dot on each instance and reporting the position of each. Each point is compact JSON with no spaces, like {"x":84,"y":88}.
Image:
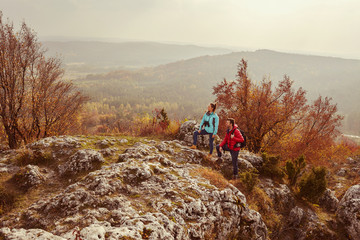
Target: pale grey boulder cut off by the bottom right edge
{"x":349,"y":210}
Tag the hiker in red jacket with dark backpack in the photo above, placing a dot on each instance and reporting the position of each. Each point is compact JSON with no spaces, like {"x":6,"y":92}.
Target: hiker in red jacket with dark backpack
{"x":233,"y":136}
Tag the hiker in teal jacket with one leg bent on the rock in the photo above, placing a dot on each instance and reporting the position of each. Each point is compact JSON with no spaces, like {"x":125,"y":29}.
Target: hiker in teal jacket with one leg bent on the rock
{"x":210,"y":121}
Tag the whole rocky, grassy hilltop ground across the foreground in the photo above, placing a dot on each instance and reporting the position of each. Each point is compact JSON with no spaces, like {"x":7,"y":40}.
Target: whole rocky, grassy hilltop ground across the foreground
{"x":127,"y":188}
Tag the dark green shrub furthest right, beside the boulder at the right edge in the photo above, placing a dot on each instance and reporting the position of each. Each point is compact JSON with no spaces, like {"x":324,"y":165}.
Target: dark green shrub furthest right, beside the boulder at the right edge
{"x":313,"y":185}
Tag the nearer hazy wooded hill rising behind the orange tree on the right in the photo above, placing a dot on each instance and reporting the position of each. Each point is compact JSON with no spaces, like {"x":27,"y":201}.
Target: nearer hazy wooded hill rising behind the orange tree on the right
{"x":188,"y":83}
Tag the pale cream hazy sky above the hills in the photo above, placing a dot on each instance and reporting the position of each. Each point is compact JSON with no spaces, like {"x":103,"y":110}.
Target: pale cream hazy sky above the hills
{"x":324,"y":27}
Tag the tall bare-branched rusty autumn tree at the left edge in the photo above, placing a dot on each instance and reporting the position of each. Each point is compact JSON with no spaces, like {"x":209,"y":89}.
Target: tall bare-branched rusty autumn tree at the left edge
{"x":34,"y":100}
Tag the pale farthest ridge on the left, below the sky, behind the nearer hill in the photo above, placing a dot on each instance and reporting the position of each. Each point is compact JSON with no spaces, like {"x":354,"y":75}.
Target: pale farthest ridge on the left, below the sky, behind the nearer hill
{"x":125,"y":54}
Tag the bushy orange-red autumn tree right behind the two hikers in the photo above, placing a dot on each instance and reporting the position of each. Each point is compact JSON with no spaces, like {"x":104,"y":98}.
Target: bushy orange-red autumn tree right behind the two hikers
{"x":277,"y":119}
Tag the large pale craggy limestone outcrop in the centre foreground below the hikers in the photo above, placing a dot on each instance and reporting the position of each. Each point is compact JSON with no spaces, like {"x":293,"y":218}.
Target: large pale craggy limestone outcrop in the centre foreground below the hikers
{"x":154,"y":191}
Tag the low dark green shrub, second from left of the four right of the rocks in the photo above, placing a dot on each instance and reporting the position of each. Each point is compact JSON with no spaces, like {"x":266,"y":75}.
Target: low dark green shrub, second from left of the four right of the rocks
{"x":271,"y":167}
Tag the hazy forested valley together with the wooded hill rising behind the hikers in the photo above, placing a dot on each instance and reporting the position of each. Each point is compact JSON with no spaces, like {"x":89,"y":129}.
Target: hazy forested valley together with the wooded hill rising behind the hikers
{"x":184,"y":88}
